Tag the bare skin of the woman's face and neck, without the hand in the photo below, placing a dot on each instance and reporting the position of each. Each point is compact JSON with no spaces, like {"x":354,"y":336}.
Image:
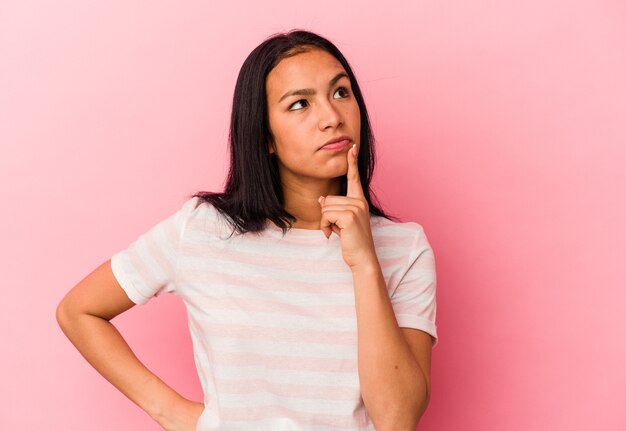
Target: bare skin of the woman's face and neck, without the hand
{"x":301,"y":124}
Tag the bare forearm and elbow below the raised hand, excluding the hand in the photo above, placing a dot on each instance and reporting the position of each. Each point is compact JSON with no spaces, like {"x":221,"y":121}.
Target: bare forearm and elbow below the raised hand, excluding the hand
{"x":394,"y":362}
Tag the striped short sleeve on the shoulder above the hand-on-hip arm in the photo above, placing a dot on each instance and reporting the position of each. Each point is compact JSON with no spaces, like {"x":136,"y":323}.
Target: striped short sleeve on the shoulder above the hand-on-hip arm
{"x":147,"y":267}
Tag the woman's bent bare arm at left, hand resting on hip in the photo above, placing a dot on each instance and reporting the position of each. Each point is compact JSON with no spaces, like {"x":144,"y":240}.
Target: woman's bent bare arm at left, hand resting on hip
{"x":84,"y":315}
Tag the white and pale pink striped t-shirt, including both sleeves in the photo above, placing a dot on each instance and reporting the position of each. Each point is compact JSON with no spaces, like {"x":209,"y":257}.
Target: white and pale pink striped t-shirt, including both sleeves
{"x":273,"y":318}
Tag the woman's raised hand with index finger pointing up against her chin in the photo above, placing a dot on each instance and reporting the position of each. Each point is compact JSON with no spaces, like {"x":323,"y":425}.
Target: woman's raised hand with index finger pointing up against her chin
{"x":348,"y":216}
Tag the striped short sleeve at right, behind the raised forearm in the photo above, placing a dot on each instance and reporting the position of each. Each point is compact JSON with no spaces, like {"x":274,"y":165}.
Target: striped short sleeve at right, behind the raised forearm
{"x":414,"y":299}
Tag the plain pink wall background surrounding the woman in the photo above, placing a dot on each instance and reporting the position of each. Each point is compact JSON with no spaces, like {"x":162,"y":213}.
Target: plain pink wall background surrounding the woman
{"x":500,"y":128}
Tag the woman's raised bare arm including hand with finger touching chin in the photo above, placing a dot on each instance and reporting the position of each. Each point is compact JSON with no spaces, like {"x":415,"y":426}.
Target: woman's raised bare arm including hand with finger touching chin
{"x":393,"y":362}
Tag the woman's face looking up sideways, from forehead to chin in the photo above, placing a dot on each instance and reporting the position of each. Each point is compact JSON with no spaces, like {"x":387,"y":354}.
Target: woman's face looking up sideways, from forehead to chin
{"x":302,"y":123}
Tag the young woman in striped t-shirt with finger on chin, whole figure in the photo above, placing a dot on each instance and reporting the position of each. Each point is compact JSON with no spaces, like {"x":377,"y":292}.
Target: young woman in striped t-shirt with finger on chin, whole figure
{"x":309,"y":308}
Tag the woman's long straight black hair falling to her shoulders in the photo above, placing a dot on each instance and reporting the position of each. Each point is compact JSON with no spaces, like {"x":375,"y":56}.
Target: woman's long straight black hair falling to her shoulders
{"x":253,"y":192}
